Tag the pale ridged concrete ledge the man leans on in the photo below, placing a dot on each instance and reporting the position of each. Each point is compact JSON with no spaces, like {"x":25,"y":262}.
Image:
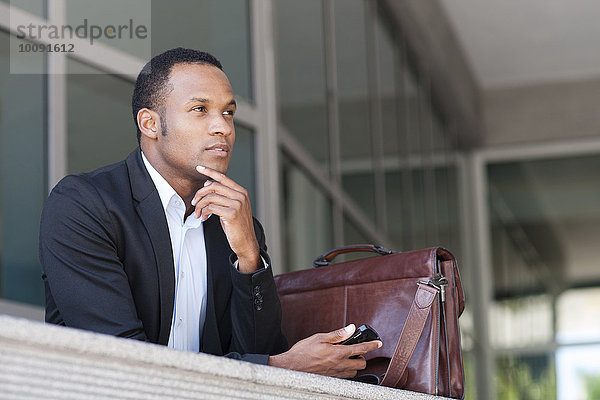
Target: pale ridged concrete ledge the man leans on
{"x":39,"y":361}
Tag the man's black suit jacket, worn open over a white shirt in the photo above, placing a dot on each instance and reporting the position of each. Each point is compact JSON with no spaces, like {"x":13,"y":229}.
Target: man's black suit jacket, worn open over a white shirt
{"x":107,"y":266}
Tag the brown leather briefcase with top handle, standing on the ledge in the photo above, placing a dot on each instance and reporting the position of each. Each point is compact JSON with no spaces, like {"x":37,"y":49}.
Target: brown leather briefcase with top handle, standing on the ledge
{"x":412,"y":299}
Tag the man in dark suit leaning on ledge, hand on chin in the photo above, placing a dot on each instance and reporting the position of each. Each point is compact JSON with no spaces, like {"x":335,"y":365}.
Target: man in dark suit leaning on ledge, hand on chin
{"x":163,"y":247}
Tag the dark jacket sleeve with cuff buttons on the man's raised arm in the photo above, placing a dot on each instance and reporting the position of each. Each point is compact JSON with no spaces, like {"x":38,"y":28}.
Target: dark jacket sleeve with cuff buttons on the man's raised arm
{"x":256,"y":311}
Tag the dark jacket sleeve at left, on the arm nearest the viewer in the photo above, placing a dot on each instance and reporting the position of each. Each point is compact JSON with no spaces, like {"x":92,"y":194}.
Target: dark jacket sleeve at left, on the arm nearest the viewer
{"x":86,"y":285}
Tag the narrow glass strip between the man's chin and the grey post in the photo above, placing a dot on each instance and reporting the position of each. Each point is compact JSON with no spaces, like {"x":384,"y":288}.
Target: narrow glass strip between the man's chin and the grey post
{"x":242,"y":167}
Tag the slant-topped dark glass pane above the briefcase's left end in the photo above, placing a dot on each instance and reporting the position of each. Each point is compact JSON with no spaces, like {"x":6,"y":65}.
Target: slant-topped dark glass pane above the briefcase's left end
{"x":307,"y":218}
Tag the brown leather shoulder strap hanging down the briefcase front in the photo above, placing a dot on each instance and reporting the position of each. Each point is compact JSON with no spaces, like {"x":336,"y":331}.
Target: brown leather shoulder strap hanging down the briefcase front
{"x":411,"y":332}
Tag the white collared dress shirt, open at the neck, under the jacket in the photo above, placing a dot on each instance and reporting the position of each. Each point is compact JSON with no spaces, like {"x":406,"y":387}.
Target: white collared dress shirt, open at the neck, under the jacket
{"x":189,"y":257}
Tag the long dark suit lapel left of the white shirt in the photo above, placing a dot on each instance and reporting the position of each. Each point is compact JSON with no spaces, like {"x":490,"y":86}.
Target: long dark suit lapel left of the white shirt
{"x":152,"y":214}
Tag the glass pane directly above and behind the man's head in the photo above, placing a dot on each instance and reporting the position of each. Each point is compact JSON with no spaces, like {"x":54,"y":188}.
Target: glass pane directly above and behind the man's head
{"x":219,"y":27}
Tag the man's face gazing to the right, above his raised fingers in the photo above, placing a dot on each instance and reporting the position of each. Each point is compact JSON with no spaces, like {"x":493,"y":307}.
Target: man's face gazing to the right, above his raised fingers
{"x":199,"y":119}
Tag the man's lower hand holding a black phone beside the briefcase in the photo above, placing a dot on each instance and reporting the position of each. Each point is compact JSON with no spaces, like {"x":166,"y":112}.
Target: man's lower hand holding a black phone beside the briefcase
{"x":318,"y":354}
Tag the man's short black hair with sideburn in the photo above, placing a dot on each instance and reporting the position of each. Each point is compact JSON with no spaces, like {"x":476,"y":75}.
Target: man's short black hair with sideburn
{"x":151,"y":85}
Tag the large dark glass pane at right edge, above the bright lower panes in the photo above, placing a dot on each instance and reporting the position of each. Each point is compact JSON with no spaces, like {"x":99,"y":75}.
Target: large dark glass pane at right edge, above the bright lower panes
{"x":545,"y":217}
